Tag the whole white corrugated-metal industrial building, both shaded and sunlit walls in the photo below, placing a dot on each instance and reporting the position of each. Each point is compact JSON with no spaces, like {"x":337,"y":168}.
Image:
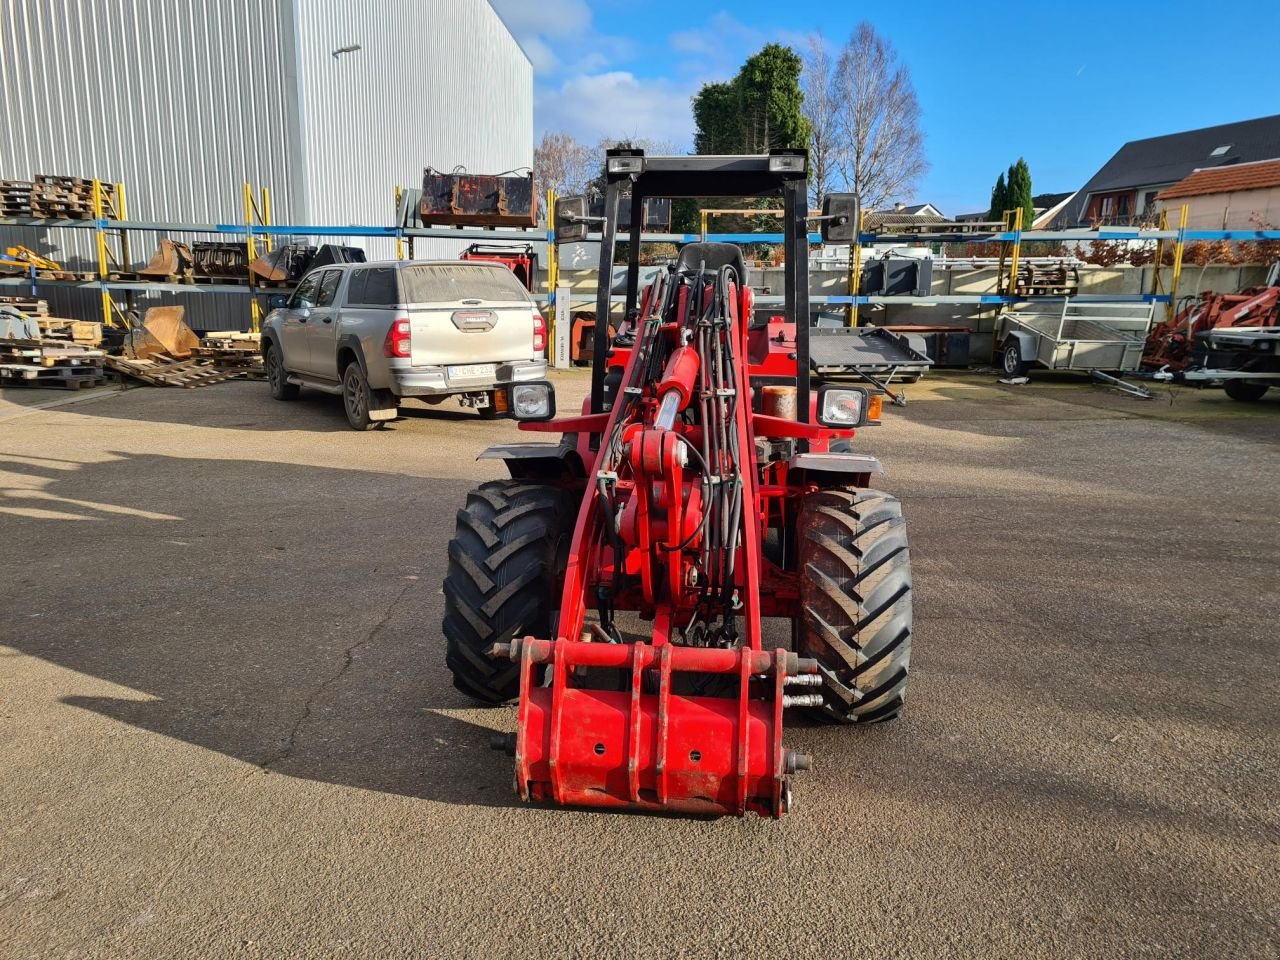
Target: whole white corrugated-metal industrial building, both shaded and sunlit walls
{"x":330,"y":104}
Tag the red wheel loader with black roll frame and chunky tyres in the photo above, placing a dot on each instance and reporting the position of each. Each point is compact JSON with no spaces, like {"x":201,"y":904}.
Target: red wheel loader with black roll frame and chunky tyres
{"x":616,"y":583}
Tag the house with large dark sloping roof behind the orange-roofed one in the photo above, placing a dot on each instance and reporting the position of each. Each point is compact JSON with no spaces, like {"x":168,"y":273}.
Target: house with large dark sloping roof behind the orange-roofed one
{"x":1124,"y":191}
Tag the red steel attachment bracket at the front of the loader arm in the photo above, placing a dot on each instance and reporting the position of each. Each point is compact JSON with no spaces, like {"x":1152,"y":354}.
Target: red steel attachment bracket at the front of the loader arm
{"x":650,"y":748}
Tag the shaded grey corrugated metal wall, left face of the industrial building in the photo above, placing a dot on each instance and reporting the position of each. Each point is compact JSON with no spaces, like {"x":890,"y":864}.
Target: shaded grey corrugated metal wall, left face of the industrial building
{"x":182,"y":102}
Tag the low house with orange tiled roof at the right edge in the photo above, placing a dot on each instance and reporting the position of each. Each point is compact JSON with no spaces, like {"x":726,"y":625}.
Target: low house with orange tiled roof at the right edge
{"x":1233,"y":198}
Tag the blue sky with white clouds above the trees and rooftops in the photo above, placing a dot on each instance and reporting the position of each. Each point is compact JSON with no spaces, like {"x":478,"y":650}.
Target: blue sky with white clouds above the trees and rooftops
{"x":1078,"y":80}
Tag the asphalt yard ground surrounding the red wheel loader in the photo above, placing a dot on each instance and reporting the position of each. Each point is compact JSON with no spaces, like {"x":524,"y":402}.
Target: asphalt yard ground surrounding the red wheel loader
{"x":227,"y":728}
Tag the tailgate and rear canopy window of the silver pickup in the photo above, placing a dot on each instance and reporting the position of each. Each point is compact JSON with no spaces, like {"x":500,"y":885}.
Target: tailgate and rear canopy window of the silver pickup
{"x":470,"y":314}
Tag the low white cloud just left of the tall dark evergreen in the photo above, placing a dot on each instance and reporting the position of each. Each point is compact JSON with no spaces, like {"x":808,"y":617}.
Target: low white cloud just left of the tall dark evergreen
{"x":618,"y":104}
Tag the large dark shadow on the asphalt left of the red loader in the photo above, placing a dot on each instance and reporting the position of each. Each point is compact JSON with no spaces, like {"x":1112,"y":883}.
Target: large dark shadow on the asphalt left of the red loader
{"x":285,"y":616}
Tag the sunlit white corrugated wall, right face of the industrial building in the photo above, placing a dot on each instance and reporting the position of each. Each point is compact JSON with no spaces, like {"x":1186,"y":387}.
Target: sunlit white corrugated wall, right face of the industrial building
{"x":440,"y":84}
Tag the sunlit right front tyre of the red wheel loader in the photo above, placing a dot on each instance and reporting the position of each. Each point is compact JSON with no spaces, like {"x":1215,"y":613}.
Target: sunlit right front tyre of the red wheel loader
{"x":856,"y":597}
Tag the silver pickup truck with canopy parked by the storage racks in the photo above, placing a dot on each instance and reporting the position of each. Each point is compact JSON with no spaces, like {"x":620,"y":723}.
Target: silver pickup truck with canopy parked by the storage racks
{"x":376,"y":333}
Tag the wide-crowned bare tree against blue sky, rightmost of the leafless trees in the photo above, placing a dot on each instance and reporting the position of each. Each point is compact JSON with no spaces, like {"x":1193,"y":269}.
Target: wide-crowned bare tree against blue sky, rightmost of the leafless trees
{"x":879,"y":121}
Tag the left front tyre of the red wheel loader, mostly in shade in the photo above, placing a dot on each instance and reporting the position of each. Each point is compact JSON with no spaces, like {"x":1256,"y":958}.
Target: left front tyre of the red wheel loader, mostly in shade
{"x":506,"y":560}
